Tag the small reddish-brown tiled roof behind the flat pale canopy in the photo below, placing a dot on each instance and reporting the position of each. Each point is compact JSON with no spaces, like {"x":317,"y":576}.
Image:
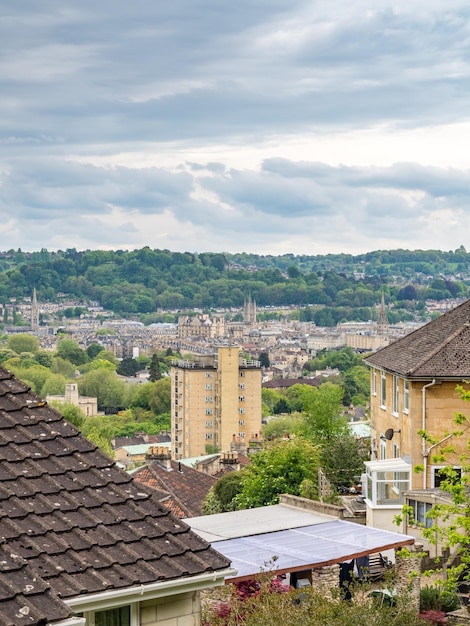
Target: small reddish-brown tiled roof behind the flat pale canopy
{"x":185,"y":486}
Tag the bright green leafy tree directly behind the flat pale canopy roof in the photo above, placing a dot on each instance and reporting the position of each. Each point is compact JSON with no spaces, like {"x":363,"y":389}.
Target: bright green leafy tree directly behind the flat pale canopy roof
{"x":279,"y":469}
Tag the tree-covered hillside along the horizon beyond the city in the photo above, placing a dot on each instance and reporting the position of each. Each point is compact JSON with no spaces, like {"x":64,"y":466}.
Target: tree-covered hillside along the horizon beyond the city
{"x":142,"y":281}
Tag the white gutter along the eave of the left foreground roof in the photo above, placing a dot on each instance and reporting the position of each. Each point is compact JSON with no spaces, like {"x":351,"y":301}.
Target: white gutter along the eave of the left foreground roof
{"x":139,"y":593}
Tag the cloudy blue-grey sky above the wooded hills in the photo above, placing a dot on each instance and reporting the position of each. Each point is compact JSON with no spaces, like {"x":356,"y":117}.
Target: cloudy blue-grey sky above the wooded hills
{"x":267,"y":126}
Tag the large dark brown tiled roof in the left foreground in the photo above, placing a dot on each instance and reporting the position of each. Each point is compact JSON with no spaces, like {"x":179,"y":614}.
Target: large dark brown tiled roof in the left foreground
{"x":72,"y":522}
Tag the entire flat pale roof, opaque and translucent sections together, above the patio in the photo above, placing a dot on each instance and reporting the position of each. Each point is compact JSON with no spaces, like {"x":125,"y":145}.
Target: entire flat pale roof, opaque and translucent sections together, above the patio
{"x":254,"y":546}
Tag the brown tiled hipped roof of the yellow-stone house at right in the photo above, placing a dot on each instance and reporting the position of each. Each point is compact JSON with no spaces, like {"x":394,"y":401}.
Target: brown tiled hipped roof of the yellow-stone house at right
{"x":439,"y":349}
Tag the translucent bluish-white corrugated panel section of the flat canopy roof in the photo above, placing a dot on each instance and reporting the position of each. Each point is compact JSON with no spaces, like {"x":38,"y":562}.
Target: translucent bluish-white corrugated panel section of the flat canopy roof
{"x":306,"y":547}
